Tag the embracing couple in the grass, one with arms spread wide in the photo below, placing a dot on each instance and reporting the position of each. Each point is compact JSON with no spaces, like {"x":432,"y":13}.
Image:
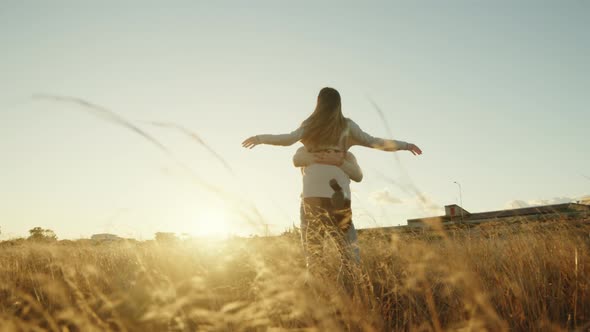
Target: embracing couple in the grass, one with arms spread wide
{"x":327,"y":166}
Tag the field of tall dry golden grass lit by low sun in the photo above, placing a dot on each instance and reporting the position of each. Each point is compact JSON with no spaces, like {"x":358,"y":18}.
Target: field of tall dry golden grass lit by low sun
{"x":522,"y":277}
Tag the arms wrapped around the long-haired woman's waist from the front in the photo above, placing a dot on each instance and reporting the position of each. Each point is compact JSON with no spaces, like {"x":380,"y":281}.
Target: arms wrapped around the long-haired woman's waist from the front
{"x":348,"y":164}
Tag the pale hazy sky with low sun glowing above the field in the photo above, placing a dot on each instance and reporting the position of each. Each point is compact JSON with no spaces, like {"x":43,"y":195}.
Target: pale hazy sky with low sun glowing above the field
{"x":495,"y":93}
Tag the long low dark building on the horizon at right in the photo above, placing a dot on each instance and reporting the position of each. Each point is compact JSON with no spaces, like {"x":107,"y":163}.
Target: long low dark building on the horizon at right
{"x":455,"y":214}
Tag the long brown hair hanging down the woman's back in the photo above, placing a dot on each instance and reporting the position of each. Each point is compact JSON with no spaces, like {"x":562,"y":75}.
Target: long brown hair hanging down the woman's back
{"x":325,"y":125}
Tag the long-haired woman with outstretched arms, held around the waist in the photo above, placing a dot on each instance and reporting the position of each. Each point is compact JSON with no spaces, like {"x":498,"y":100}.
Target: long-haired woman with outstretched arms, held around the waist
{"x":327,"y":131}
